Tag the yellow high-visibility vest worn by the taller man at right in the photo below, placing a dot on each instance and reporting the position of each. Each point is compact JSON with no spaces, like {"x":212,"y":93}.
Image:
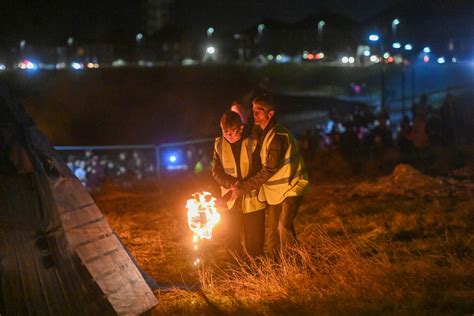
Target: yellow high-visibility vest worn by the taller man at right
{"x":292,"y":178}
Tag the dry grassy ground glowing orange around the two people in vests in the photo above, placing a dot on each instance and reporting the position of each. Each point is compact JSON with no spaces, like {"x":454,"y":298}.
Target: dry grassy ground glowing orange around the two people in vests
{"x":399,"y":244}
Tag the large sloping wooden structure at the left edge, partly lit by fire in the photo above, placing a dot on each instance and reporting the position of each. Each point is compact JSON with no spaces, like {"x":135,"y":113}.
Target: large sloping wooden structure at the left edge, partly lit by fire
{"x":58,"y":254}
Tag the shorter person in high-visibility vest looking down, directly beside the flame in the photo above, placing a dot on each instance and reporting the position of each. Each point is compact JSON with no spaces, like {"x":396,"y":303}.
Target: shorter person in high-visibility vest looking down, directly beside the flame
{"x":235,"y":158}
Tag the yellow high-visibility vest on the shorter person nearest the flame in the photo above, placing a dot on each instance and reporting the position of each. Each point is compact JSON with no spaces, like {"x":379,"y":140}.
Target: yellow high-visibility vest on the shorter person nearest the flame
{"x":250,"y":202}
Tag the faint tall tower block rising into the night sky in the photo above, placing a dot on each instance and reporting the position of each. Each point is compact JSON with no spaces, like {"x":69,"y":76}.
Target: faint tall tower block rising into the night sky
{"x":157,"y":14}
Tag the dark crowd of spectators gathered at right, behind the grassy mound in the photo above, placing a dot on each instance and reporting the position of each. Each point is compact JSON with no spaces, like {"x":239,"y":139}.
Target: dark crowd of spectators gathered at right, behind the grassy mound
{"x":363,"y":137}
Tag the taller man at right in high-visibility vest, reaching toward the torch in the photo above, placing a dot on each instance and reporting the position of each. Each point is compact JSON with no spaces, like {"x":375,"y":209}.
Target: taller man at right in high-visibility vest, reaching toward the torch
{"x":282,"y":181}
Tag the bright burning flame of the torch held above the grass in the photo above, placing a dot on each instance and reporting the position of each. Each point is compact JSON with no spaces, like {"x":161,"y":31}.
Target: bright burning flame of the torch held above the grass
{"x":202,"y":216}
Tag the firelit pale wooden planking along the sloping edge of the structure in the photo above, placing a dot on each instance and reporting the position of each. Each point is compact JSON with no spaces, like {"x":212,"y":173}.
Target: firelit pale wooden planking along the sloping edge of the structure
{"x":100,"y":251}
